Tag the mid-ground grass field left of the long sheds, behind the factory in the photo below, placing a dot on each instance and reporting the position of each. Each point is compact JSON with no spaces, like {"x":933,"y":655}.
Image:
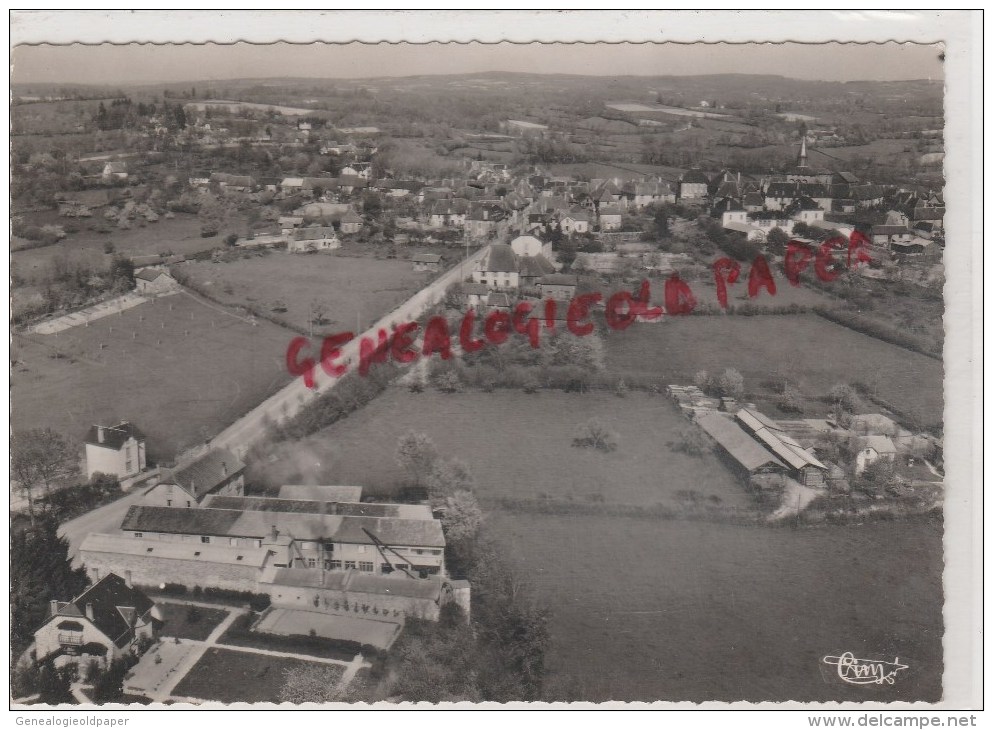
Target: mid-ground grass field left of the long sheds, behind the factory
{"x":518,"y":446}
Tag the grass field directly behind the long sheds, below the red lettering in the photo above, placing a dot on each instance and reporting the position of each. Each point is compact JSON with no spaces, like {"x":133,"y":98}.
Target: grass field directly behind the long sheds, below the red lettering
{"x":809,"y":351}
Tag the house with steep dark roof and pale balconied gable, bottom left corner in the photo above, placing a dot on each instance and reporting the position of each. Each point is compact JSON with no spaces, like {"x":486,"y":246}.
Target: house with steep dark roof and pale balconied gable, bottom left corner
{"x":105,"y":622}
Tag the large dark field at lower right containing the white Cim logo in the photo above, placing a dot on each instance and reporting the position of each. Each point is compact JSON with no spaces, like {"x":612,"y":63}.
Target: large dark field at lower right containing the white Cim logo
{"x":669,"y":610}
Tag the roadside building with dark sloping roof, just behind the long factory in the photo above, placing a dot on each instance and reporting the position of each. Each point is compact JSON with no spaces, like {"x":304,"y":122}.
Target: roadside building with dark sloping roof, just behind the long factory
{"x":218,"y":471}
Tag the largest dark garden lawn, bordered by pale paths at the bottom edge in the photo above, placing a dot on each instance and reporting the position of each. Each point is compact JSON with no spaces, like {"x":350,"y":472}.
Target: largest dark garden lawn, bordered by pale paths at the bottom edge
{"x":236,"y":676}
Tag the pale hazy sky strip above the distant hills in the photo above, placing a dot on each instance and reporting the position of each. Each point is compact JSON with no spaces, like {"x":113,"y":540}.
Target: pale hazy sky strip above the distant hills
{"x":146,"y":64}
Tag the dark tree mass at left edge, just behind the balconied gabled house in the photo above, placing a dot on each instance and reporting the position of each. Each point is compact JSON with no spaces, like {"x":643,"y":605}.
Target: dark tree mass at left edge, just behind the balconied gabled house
{"x":40,"y":571}
